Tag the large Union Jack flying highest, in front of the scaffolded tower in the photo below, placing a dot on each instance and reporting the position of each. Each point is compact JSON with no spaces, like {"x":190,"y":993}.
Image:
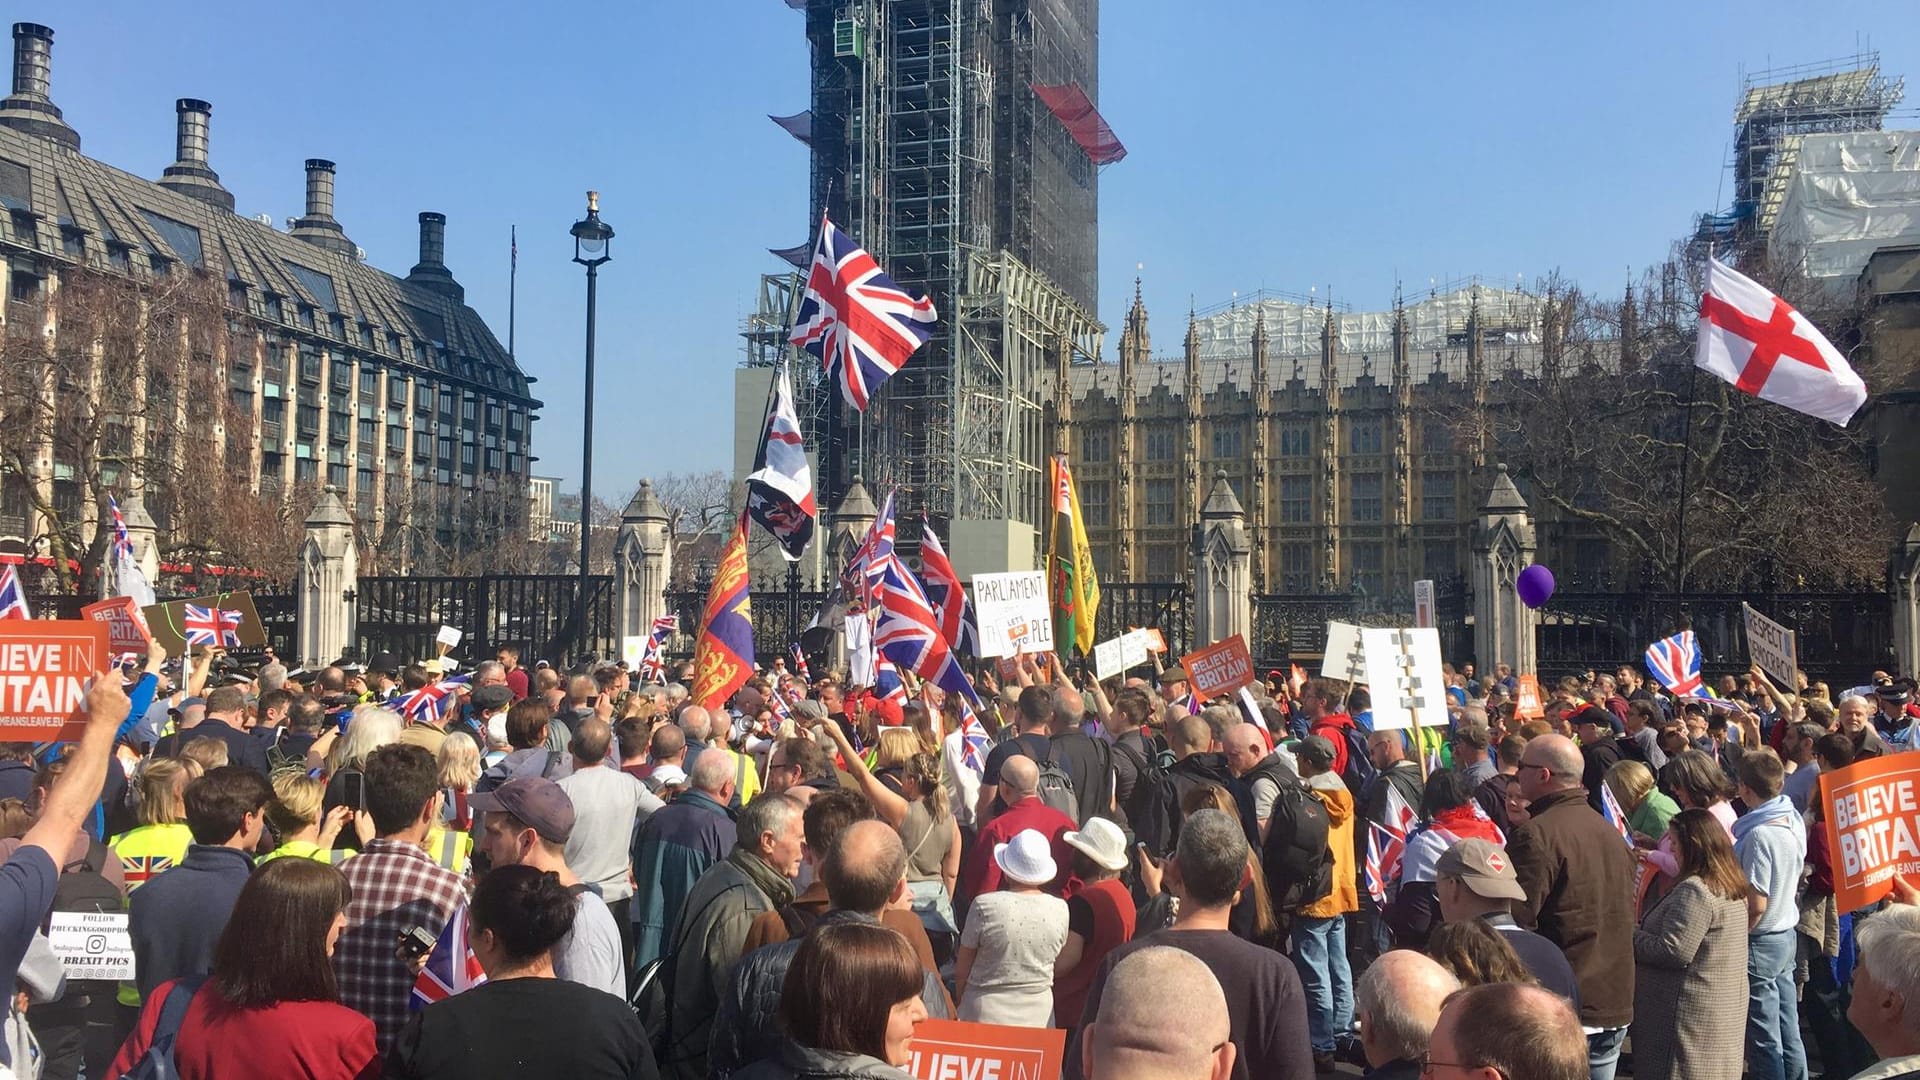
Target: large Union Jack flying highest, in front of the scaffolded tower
{"x":855,"y":318}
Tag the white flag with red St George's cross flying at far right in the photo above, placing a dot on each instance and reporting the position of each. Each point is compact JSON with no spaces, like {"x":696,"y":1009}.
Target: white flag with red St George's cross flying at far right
{"x":1764,"y":347}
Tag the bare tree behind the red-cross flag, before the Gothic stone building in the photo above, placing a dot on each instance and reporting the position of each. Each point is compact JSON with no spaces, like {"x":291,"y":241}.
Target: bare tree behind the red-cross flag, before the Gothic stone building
{"x":1691,"y":481}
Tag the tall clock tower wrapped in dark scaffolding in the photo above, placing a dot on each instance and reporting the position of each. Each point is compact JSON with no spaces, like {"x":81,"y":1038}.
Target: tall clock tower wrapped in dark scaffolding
{"x":959,"y":141}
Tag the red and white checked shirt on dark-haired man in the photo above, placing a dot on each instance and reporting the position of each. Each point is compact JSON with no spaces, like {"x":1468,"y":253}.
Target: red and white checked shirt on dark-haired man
{"x":396,"y":887}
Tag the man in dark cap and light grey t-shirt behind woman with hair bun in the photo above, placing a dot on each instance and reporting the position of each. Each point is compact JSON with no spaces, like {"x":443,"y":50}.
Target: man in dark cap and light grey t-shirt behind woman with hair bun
{"x":529,"y":823}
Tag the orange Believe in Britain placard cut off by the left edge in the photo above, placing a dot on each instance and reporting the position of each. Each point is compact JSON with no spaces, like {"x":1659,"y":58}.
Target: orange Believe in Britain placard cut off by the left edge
{"x":45,"y":668}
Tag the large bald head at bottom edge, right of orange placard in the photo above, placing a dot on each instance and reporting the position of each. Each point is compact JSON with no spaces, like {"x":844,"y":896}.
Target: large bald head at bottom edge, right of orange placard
{"x":1136,"y":1037}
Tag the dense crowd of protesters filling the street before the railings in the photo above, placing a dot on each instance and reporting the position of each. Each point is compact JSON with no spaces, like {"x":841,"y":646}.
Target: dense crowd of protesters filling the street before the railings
{"x":391,"y":870}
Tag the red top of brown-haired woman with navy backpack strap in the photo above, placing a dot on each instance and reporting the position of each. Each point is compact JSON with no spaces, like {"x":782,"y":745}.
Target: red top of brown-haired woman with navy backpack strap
{"x":320,"y":1041}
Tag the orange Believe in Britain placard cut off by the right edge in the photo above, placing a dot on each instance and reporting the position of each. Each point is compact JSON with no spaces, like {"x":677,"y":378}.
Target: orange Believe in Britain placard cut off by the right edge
{"x":1873,"y":827}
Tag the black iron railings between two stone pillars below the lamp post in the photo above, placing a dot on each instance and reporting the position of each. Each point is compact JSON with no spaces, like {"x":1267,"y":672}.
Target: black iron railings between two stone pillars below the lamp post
{"x":535,"y":614}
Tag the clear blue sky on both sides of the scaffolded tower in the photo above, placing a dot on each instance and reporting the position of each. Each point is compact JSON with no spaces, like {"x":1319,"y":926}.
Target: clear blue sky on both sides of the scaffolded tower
{"x":1282,"y":145}
